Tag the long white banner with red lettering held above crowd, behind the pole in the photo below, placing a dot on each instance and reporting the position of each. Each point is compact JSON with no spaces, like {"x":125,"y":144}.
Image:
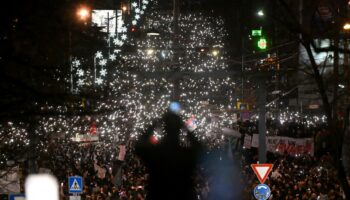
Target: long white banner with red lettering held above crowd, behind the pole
{"x":292,"y":146}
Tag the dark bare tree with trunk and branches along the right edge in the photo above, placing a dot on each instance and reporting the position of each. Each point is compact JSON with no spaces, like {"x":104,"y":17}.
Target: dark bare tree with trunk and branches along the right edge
{"x":327,"y":86}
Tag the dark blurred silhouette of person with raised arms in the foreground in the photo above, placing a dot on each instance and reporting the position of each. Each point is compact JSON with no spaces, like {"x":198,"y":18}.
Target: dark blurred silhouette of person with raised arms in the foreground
{"x":170,"y":166}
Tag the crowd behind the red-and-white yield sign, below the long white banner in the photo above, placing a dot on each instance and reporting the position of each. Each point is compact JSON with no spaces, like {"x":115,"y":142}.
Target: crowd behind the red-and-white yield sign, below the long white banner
{"x":298,"y":178}
